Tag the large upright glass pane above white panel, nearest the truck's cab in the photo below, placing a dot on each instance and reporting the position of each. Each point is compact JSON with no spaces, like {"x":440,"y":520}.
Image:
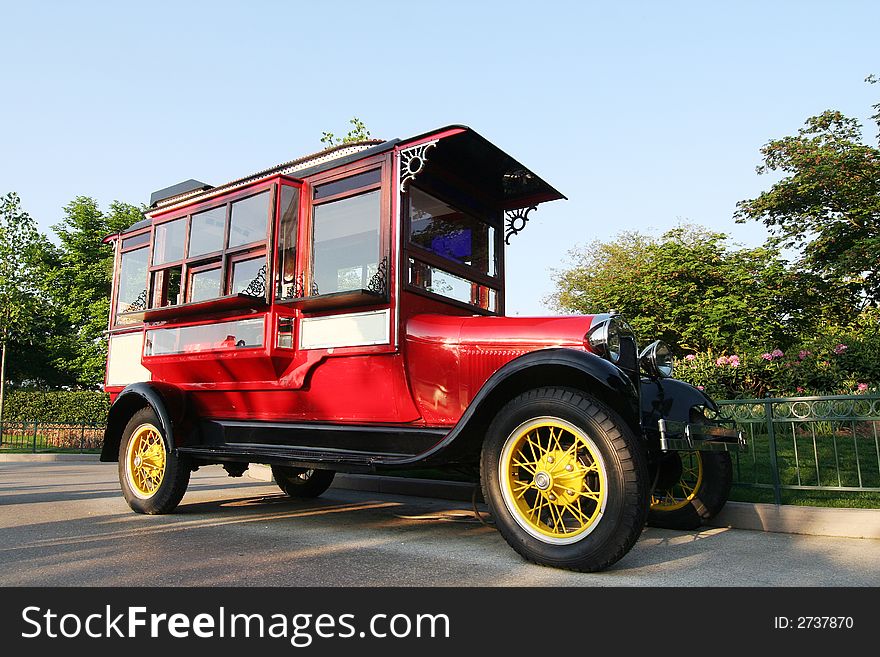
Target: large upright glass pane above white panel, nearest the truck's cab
{"x":346,"y":243}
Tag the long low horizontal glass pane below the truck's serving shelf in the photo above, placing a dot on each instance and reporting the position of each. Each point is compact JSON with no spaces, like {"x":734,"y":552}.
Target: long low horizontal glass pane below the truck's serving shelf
{"x":238,"y":334}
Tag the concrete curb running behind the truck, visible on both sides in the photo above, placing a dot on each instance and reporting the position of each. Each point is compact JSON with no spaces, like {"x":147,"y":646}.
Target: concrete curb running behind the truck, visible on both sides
{"x":809,"y":520}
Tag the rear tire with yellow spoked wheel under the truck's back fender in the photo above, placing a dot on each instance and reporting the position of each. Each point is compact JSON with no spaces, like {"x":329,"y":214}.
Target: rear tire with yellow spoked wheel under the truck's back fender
{"x":145,"y":488}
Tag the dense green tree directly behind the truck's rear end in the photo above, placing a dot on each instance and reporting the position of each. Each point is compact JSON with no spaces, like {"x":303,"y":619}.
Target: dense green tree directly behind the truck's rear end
{"x":82,"y":280}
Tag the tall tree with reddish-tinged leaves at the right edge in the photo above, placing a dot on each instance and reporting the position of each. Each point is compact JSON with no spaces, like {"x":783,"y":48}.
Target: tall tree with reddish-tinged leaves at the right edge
{"x":828,"y":204}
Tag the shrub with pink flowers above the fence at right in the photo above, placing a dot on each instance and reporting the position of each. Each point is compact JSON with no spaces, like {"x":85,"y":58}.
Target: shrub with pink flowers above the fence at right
{"x":842,"y":362}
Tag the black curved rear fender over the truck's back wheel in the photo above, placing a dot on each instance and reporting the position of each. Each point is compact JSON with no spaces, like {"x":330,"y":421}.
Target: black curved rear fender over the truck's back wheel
{"x":168,"y":402}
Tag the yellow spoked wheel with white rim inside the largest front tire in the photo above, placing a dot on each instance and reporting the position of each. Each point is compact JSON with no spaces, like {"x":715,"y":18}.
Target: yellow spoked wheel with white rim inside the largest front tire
{"x":553,"y":480}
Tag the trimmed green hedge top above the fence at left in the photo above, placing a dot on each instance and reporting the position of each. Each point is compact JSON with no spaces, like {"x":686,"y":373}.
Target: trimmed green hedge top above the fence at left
{"x":63,"y":407}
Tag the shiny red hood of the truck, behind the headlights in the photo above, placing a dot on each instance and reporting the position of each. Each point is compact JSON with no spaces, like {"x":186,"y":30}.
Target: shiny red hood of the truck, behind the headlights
{"x":564,"y":331}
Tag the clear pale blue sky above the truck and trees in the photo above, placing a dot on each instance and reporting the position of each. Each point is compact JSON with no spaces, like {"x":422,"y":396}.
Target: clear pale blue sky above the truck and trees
{"x":644,"y":114}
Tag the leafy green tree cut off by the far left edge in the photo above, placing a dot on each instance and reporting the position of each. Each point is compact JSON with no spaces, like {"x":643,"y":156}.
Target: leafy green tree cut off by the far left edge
{"x":20,"y":300}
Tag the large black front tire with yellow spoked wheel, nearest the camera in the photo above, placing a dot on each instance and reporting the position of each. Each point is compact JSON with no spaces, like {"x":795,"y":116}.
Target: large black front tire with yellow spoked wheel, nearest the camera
{"x":608,"y":463}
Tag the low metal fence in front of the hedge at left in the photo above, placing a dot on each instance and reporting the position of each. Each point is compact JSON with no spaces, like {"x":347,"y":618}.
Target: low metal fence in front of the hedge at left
{"x":35,"y":437}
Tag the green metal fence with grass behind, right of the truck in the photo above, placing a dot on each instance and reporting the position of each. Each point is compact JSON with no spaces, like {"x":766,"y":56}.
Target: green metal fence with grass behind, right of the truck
{"x":808,"y":443}
